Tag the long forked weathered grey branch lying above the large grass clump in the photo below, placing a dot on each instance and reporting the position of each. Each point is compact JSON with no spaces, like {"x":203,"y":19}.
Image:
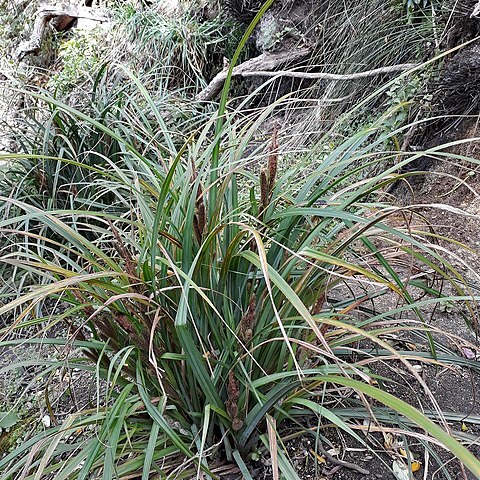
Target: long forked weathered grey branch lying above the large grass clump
{"x":268,"y":63}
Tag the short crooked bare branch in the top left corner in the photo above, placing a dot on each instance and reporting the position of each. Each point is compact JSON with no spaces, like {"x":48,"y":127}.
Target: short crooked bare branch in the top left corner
{"x":62,"y":16}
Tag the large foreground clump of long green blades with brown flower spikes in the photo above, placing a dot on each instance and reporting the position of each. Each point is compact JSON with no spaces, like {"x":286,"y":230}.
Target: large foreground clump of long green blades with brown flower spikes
{"x":217,"y":295}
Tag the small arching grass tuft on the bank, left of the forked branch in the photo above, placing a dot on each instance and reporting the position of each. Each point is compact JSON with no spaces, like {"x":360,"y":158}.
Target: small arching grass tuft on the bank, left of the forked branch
{"x":181,"y":50}
